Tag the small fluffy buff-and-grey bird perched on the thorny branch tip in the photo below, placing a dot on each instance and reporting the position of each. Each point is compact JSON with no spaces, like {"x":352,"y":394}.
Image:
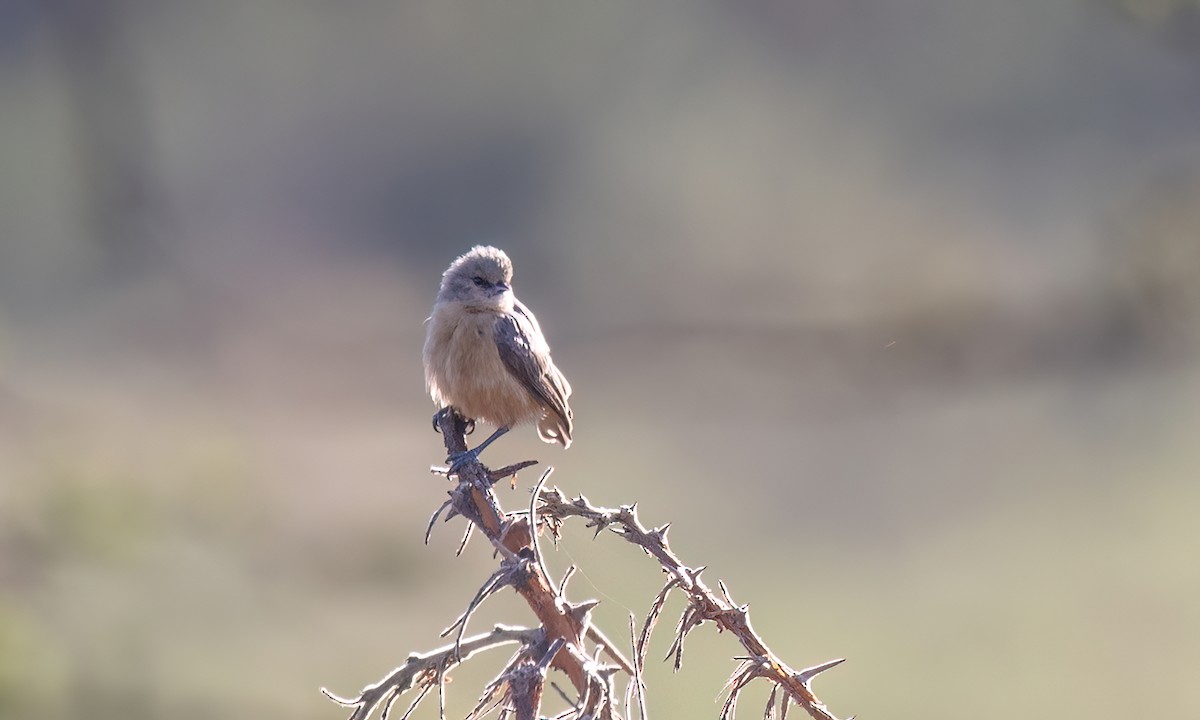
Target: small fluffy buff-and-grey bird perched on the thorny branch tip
{"x":485,"y":357}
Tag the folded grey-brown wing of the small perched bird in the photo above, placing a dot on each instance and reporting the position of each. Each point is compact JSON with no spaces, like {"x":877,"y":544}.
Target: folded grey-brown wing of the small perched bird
{"x":526,"y":355}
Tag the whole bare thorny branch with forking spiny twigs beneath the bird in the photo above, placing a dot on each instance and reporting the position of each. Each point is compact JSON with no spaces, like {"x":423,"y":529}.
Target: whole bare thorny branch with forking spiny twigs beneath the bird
{"x":560,"y":641}
